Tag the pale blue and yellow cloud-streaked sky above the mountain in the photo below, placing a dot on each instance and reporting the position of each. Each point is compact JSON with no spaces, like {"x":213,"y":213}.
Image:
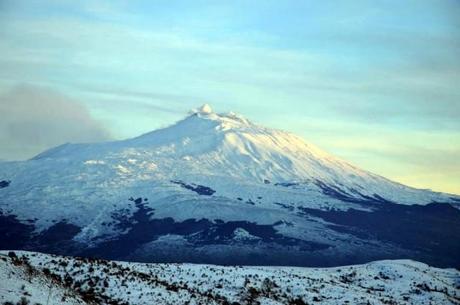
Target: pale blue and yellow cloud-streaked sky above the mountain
{"x":374,"y":82}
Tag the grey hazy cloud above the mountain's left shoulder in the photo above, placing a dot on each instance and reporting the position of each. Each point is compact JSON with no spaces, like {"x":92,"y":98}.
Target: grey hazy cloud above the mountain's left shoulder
{"x":33,"y":119}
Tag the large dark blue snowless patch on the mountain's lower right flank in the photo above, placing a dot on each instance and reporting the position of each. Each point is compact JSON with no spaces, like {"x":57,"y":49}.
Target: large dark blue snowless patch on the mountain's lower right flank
{"x":432,"y":230}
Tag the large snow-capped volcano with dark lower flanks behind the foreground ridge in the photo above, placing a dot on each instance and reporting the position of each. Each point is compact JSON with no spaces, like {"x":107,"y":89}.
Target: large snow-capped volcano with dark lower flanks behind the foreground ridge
{"x":217,"y":188}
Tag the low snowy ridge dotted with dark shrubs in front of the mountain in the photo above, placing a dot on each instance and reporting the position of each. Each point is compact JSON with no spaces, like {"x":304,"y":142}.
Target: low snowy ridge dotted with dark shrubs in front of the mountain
{"x":47,"y":279}
